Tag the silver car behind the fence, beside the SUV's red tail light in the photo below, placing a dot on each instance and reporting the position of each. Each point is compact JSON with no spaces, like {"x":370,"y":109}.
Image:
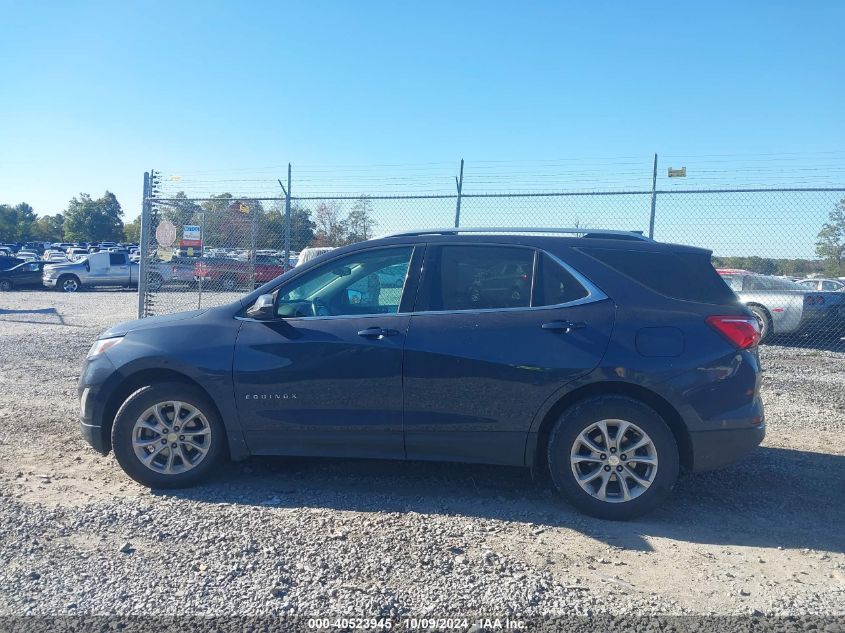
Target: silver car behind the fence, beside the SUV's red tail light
{"x":783,"y":307}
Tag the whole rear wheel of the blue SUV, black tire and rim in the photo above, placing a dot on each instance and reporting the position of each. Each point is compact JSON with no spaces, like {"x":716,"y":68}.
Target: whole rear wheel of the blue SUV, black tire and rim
{"x":568,"y":455}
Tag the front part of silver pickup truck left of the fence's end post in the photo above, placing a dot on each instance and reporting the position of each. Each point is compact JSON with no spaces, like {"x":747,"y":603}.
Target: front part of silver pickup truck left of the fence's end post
{"x":96,"y":269}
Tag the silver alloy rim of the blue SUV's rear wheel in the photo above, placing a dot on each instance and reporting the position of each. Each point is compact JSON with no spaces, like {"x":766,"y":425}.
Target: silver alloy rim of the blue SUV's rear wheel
{"x":614,"y":460}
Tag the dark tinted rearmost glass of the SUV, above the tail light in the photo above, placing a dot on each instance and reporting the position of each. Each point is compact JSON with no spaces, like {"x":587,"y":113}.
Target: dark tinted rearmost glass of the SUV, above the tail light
{"x":681,"y":275}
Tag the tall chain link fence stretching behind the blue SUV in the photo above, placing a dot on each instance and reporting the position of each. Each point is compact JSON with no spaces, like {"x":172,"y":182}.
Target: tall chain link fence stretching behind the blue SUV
{"x":206,"y":250}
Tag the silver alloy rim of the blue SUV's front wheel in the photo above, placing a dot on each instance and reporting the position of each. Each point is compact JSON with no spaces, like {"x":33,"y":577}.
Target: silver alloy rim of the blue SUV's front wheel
{"x":171,"y":437}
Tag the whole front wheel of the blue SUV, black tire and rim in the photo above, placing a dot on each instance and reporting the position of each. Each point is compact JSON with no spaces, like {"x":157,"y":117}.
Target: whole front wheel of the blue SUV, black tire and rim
{"x":133,"y":436}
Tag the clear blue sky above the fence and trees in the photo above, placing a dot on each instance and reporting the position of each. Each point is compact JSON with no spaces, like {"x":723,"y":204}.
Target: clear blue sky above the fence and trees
{"x":391,"y":95}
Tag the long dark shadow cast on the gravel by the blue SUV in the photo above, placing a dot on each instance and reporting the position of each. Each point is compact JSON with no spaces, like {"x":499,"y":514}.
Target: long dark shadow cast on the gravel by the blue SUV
{"x":774,"y":498}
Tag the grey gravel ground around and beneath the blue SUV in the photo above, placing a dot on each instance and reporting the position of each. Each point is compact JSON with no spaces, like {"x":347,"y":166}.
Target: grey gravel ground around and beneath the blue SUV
{"x":370,"y":538}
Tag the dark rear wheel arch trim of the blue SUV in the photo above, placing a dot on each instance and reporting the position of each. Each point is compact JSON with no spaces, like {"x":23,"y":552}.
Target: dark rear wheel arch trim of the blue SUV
{"x":536,"y":450}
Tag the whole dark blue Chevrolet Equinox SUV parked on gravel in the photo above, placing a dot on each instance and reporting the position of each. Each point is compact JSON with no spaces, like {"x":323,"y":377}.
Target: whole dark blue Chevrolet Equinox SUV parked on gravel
{"x":602,"y":357}
